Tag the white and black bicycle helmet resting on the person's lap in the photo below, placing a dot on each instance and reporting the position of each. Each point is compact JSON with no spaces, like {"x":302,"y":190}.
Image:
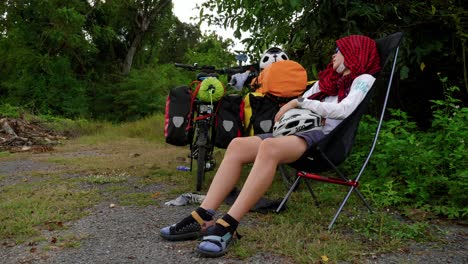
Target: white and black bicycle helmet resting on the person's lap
{"x":297,"y":120}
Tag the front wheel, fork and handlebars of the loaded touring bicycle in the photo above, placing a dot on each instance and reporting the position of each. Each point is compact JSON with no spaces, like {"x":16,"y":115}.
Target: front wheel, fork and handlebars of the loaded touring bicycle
{"x":203,"y":118}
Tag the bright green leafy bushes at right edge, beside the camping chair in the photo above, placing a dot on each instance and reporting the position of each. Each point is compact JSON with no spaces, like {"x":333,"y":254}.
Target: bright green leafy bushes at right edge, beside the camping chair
{"x":424,"y":169}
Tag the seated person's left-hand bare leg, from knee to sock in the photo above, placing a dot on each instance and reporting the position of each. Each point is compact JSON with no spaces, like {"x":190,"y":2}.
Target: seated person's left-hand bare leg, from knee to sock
{"x":239,"y":152}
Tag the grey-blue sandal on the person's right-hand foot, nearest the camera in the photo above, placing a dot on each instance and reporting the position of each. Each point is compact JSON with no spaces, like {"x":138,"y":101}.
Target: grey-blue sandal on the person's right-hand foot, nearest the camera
{"x":213,"y":246}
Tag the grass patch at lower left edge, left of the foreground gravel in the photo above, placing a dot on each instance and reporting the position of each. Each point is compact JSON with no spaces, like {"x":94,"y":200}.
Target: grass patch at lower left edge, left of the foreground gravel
{"x":27,"y":208}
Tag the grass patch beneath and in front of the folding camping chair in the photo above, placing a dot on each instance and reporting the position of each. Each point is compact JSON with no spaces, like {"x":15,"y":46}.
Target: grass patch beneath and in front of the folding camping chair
{"x":300,"y":232}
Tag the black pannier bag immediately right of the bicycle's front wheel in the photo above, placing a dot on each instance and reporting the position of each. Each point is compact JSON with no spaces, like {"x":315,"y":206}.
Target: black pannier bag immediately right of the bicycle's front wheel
{"x":228,"y":120}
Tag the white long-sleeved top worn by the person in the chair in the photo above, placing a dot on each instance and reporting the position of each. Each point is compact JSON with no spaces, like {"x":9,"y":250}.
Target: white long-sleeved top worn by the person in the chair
{"x":333,"y":111}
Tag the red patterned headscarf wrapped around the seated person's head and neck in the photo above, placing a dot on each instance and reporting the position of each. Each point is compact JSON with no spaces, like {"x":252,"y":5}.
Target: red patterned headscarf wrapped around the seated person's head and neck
{"x":360,"y":56}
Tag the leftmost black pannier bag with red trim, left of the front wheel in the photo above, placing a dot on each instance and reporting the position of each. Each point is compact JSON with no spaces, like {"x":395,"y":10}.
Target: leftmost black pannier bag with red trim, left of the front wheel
{"x":177,"y":118}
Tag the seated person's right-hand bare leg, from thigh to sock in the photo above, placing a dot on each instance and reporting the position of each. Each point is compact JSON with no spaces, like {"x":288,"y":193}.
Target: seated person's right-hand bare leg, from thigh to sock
{"x":272,"y":151}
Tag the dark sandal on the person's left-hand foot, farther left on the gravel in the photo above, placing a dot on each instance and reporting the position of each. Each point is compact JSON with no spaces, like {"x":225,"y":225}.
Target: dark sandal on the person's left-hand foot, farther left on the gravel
{"x":194,"y":228}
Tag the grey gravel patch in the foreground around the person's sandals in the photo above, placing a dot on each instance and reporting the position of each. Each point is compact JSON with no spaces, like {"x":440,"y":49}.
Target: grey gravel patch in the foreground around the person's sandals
{"x":123,"y":235}
